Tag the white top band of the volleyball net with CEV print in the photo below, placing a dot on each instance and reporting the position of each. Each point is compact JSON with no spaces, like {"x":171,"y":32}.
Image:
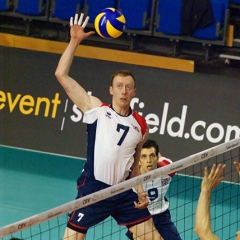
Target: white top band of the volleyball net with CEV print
{"x":118,"y":188}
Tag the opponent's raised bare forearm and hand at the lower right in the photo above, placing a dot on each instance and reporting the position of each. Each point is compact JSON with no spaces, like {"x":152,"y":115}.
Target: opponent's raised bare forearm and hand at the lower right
{"x":203,"y":218}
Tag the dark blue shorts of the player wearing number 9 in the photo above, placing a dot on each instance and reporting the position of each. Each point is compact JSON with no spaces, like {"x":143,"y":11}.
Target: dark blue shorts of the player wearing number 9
{"x":164,"y":225}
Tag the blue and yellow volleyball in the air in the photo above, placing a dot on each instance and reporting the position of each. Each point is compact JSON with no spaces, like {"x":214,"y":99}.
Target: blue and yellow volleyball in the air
{"x":109,"y":23}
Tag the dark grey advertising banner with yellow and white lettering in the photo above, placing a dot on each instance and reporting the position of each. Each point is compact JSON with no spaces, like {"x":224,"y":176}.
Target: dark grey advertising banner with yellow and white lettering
{"x":186,"y":112}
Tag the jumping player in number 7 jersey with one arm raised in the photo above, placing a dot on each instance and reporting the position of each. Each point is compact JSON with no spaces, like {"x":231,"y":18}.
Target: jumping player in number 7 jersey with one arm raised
{"x":115,"y":137}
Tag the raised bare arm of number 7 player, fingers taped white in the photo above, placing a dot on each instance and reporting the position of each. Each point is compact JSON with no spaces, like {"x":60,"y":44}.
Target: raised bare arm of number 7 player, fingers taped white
{"x":75,"y":92}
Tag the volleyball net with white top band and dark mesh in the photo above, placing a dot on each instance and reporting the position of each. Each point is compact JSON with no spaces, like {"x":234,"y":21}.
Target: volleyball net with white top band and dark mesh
{"x":182,"y":194}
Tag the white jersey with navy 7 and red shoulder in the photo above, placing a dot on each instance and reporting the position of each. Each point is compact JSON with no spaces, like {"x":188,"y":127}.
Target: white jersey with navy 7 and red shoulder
{"x":112,"y":140}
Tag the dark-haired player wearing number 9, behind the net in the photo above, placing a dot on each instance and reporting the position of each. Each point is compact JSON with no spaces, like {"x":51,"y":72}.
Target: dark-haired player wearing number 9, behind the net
{"x":151,"y":159}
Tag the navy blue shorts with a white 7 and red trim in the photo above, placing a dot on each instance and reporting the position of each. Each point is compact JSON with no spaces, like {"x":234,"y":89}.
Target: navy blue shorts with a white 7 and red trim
{"x":120,"y":207}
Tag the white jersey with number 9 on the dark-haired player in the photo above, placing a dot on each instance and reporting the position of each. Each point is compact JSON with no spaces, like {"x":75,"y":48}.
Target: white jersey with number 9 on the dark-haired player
{"x":156,"y":191}
